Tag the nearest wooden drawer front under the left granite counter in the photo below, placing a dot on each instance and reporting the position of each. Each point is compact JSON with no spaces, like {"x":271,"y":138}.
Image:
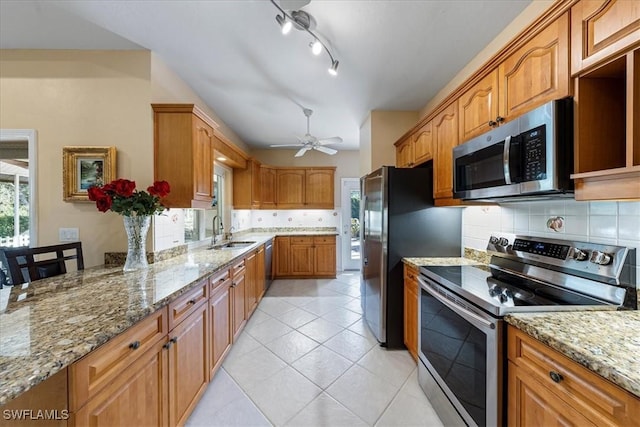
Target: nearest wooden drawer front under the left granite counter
{"x":93,"y":372}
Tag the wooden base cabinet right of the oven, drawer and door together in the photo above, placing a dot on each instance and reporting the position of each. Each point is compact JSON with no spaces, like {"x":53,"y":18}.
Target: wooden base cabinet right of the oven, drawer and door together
{"x":548,"y":388}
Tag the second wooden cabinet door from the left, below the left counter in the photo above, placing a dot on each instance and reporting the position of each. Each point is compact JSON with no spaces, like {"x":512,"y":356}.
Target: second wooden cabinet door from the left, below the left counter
{"x":188,"y":365}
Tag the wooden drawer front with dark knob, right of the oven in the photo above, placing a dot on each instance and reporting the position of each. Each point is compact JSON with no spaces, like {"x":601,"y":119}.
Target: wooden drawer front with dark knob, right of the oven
{"x":600,"y":400}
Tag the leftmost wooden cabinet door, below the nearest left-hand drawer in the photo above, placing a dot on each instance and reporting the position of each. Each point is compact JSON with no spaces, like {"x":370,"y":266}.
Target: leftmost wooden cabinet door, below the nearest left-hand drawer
{"x":136,"y":397}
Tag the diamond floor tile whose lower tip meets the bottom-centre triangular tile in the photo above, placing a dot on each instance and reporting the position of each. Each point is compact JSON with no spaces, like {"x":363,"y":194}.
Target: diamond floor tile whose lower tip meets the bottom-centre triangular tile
{"x":322,"y":366}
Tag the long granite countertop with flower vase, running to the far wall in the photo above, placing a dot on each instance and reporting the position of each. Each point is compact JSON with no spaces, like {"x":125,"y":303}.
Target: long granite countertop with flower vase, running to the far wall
{"x":48,"y":324}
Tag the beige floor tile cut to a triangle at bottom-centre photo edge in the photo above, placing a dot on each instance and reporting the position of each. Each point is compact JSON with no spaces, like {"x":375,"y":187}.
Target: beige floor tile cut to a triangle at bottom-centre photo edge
{"x":325,"y":411}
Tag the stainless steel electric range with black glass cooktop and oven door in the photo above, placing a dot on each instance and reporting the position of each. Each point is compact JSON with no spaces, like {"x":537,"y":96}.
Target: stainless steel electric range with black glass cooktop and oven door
{"x":461,"y":341}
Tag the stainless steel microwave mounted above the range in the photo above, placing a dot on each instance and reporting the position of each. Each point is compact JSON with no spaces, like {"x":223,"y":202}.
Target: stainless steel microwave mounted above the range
{"x":530,"y":156}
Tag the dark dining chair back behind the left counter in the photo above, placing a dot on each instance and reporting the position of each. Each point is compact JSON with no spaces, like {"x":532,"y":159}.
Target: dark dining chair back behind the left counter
{"x":29,"y":264}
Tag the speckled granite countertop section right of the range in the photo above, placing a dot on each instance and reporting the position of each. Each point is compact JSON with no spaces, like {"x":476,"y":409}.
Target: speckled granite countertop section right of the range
{"x":606,"y":342}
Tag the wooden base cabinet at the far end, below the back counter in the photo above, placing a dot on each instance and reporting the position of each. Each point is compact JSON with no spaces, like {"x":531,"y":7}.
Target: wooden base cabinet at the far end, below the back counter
{"x":305,"y":256}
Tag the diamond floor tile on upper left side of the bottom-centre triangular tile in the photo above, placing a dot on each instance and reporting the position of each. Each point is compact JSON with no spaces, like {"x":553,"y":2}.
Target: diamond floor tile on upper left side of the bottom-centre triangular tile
{"x":283,"y":395}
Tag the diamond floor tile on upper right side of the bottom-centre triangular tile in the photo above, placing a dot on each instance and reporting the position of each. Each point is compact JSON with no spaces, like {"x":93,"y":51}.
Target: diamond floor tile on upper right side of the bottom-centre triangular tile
{"x":363,"y":393}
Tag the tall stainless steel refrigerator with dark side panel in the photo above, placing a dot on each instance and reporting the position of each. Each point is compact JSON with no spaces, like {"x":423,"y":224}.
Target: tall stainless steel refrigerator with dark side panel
{"x":398,"y":219}
